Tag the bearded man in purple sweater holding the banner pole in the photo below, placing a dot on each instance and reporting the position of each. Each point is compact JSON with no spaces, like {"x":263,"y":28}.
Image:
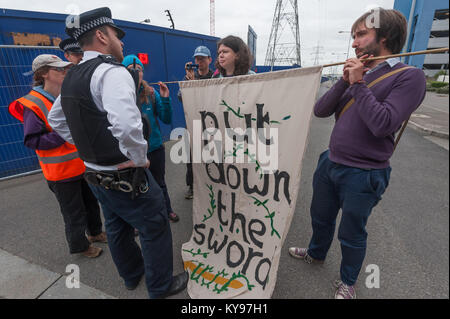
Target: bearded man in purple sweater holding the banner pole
{"x":354,"y":173}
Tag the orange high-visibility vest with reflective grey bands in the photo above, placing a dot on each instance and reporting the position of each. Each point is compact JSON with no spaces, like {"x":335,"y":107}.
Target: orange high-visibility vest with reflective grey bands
{"x":59,"y":163}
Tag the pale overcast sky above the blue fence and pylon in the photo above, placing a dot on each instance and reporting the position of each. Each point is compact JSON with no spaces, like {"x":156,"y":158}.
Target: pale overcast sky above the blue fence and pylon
{"x":319,"y":20}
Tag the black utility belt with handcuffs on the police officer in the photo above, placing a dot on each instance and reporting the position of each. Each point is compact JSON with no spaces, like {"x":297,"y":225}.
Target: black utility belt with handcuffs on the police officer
{"x":130,"y":180}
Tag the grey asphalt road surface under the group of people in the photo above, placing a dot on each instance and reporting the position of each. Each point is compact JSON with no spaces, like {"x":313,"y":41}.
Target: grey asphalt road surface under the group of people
{"x":408,"y":230}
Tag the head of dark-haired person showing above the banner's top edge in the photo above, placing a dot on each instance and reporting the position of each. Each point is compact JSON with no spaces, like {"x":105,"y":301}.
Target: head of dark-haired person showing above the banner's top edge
{"x":233,"y":58}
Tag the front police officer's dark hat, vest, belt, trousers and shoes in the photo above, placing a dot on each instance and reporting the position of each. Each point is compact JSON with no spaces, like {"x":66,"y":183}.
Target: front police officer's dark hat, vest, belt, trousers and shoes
{"x":129,"y":198}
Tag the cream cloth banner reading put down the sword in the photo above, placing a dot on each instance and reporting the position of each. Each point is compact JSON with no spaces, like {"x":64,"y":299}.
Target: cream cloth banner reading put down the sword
{"x":246,"y":186}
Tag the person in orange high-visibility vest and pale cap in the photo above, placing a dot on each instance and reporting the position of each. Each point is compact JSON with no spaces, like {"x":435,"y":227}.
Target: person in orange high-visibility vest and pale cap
{"x":61,"y":166}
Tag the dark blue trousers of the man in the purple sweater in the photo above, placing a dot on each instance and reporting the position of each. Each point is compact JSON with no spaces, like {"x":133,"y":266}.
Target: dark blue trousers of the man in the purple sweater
{"x":356,"y":191}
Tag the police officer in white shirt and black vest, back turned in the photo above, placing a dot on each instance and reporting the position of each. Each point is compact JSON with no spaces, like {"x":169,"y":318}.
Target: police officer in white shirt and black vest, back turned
{"x":97,"y":111}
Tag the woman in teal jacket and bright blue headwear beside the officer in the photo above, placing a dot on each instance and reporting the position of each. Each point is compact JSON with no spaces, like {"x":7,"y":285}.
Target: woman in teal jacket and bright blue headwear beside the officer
{"x":154,"y":105}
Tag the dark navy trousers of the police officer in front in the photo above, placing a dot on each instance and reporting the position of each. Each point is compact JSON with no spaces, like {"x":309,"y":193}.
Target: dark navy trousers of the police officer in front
{"x":147,"y":213}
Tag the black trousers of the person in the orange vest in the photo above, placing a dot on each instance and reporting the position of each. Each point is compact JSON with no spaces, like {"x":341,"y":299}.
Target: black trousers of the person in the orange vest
{"x":80,"y":211}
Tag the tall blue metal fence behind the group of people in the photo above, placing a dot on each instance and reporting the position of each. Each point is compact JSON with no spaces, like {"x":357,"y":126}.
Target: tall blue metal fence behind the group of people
{"x":168,"y":51}
